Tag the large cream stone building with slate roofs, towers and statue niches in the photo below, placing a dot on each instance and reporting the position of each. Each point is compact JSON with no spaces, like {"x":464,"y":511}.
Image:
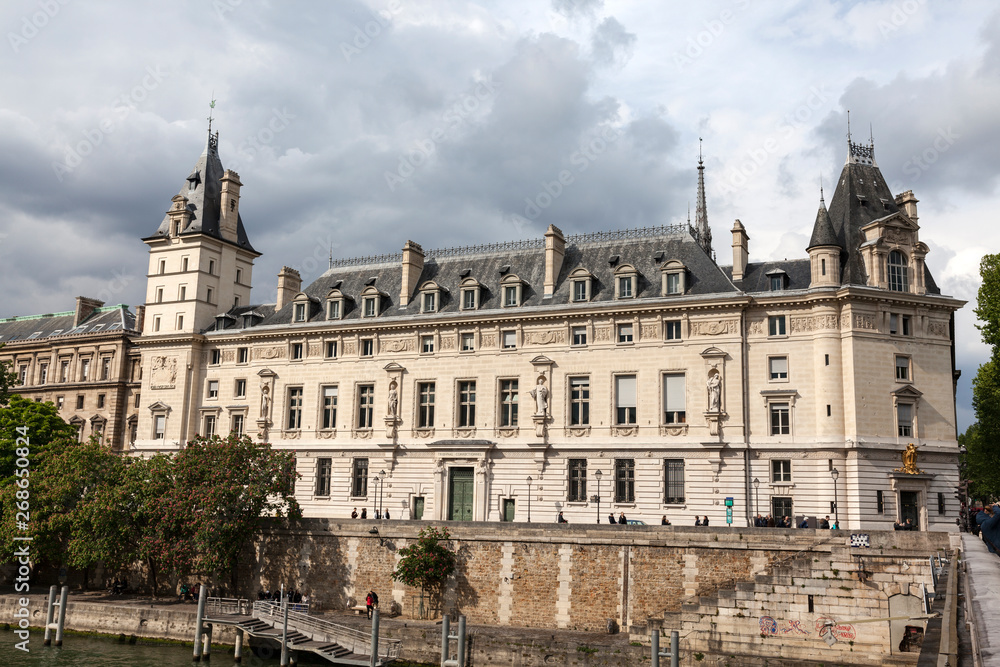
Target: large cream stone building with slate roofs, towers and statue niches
{"x":621,"y":371}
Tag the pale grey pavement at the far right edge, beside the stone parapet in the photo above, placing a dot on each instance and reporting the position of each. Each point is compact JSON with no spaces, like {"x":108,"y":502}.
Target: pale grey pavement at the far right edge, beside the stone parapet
{"x":982,"y":570}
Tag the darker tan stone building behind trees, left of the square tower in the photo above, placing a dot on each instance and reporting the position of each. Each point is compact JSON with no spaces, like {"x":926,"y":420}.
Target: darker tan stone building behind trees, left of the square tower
{"x":81,"y":360}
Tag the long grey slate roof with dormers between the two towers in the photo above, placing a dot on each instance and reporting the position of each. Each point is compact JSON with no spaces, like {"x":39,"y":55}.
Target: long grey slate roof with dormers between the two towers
{"x":526,"y":260}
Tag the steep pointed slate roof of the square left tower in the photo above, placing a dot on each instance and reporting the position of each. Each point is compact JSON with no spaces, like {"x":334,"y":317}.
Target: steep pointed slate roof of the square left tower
{"x":203,"y":188}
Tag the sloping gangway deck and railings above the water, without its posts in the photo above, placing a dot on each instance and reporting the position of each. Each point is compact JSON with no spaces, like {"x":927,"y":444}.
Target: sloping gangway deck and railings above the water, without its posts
{"x":339,"y":644}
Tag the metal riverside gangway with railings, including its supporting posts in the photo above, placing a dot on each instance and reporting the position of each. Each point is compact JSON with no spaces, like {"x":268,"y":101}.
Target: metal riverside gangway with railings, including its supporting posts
{"x":265,"y":619}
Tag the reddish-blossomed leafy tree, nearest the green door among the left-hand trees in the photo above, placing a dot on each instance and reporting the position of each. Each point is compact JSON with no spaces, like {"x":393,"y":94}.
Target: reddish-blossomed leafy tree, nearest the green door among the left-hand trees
{"x":224,"y":491}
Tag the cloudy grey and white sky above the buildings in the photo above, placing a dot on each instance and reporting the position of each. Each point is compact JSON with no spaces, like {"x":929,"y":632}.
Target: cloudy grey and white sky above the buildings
{"x":356,"y":125}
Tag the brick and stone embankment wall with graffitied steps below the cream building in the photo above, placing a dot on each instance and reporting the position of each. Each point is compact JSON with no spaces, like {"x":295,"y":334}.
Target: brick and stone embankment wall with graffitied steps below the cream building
{"x":741,"y":591}
